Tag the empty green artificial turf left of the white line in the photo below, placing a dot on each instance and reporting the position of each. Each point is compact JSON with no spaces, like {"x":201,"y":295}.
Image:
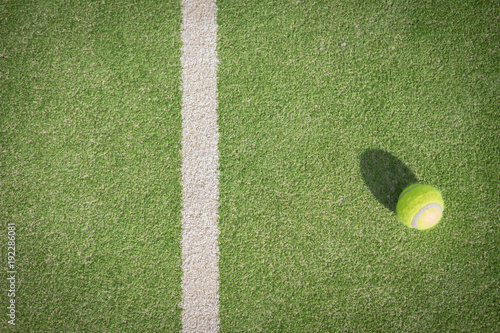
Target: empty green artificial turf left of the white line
{"x":90,"y":164}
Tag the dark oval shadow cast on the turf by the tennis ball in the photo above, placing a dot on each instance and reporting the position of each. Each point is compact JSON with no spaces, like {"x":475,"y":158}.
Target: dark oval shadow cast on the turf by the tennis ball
{"x":385,"y":175}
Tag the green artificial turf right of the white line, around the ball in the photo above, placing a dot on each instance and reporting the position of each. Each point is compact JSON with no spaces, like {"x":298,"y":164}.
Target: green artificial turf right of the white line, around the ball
{"x":305,"y":245}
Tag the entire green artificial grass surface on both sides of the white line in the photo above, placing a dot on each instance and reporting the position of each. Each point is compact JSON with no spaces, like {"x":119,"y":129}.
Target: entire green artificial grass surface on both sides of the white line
{"x":326,"y":110}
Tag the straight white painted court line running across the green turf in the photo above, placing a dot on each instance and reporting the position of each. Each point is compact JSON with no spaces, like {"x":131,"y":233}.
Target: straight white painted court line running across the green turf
{"x":200,"y":161}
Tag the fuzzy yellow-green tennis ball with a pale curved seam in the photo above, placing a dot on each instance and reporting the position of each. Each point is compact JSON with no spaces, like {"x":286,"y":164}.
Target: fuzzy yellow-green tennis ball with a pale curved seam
{"x":420,"y":206}
